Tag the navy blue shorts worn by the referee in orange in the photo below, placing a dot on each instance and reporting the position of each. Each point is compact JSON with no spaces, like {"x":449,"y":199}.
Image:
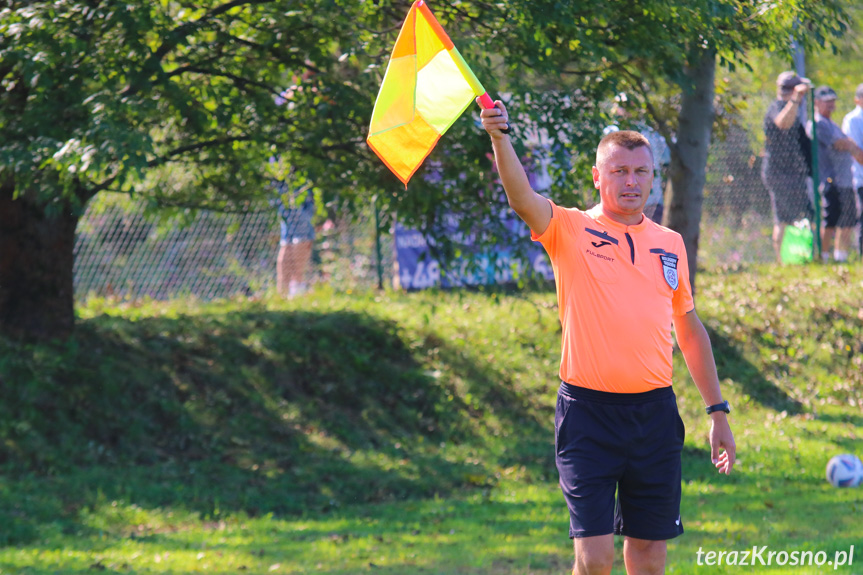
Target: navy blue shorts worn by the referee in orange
{"x":624,"y":442}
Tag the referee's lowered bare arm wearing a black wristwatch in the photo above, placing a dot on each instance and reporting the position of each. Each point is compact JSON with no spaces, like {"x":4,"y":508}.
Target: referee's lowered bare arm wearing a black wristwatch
{"x":695,"y":345}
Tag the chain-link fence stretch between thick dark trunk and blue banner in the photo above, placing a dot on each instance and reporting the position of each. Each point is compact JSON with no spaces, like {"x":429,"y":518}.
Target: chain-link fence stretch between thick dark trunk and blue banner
{"x":122,"y":250}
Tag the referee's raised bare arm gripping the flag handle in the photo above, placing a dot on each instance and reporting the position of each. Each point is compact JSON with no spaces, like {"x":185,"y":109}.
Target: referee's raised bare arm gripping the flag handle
{"x":534,"y":209}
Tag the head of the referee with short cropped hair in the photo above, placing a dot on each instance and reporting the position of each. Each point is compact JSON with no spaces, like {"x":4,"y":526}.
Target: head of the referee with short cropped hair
{"x":623,"y":178}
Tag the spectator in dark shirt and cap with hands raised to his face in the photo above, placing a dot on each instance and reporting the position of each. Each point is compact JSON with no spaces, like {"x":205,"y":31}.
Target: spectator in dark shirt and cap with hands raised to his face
{"x":785,"y":166}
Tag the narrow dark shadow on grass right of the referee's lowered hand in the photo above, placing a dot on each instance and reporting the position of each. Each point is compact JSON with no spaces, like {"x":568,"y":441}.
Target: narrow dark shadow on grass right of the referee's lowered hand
{"x":732,"y":364}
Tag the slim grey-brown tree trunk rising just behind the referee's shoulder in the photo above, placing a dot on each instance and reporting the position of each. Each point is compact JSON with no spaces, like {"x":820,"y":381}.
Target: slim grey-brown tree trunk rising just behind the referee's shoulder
{"x":689,"y":155}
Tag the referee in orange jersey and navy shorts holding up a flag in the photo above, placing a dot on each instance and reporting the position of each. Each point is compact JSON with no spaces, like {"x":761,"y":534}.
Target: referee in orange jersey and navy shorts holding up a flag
{"x":622,"y":281}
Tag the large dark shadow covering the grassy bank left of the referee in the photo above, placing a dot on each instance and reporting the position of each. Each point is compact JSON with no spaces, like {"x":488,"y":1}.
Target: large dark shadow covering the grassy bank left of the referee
{"x":252,"y":412}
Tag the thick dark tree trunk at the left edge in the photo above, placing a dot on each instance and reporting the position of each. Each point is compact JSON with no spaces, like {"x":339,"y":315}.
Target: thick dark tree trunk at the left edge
{"x":36,"y":260}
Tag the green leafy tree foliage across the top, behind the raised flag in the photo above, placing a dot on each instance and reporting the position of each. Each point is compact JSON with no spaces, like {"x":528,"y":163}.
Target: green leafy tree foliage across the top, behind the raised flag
{"x":185,"y":103}
